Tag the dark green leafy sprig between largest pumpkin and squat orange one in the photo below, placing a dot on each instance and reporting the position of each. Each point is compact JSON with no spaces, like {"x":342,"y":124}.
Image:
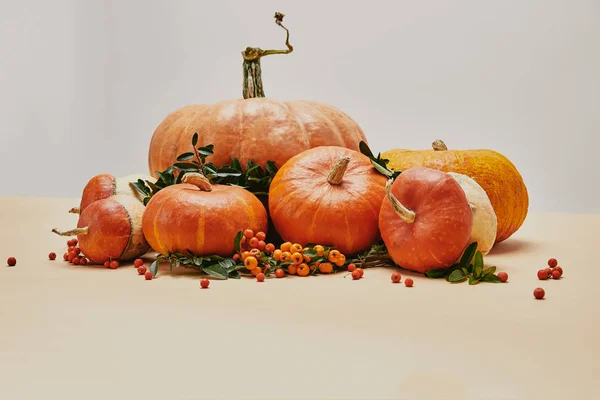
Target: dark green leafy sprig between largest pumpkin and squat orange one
{"x":254,"y":178}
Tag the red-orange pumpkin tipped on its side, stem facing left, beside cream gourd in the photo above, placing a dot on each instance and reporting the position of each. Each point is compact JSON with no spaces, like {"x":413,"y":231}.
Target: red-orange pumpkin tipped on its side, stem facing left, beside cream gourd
{"x":426,"y":220}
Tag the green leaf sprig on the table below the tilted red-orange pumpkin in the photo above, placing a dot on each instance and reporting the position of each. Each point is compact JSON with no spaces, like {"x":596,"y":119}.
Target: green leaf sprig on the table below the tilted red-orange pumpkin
{"x":470,"y":267}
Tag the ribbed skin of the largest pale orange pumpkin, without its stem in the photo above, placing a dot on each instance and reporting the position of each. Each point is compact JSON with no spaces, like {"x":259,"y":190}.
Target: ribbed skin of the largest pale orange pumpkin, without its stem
{"x":260,"y":129}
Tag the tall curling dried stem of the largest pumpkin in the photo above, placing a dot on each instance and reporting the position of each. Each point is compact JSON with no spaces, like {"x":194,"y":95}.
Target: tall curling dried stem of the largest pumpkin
{"x":251,"y":66}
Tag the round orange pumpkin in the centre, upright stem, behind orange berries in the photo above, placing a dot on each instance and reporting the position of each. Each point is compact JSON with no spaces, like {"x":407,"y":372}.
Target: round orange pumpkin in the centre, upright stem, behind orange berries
{"x":330,"y":195}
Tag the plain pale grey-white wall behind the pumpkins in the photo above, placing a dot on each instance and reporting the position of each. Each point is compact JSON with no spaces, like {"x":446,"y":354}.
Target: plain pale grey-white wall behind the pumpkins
{"x":85,"y":83}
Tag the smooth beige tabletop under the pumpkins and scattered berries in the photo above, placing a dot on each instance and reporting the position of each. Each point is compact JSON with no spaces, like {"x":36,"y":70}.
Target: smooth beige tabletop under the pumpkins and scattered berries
{"x":71,"y":332}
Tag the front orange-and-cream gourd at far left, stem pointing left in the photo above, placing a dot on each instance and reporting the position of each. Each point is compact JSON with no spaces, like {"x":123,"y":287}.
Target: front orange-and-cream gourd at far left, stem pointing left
{"x":111,"y":229}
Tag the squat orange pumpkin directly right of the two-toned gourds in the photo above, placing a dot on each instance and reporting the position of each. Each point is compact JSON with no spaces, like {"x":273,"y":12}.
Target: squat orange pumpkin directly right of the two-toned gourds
{"x":201,"y":217}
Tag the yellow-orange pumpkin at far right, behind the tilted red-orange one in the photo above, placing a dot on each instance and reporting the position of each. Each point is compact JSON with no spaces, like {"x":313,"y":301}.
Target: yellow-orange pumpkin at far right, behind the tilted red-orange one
{"x":495,"y":173}
